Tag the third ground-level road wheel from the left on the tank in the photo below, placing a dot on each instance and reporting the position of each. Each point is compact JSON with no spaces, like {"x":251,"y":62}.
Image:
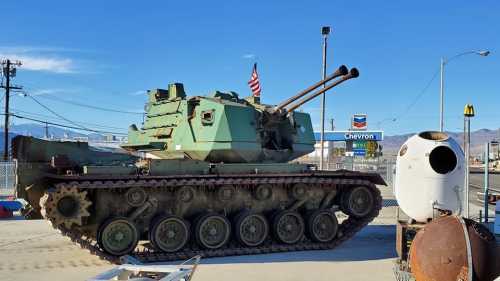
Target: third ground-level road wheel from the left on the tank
{"x":212,"y":231}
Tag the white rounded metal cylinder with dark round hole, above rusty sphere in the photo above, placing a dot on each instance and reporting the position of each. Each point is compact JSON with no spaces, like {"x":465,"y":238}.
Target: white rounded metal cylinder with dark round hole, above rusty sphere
{"x":429,"y":176}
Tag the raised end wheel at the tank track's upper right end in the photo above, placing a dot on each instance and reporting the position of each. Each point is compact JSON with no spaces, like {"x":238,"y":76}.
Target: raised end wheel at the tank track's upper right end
{"x":358,"y":201}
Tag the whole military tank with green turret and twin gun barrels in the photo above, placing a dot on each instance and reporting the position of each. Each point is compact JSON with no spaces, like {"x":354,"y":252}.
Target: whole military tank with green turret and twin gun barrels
{"x":211,"y":176}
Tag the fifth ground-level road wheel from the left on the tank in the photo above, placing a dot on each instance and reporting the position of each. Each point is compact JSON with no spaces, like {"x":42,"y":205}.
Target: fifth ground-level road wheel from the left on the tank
{"x":288,"y":226}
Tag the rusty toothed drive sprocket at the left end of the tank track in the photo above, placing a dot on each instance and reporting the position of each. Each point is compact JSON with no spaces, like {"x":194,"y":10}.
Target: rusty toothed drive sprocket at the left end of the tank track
{"x":65,"y":206}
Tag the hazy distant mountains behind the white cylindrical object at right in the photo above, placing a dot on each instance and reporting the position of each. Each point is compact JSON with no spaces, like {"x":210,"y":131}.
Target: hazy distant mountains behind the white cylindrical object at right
{"x":391,"y":144}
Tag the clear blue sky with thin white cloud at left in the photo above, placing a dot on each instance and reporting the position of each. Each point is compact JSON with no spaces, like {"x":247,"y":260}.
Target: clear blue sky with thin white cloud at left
{"x":107,"y":53}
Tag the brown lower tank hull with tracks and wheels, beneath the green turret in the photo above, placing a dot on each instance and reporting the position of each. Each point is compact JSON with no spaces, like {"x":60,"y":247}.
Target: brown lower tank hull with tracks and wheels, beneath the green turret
{"x":261,"y":208}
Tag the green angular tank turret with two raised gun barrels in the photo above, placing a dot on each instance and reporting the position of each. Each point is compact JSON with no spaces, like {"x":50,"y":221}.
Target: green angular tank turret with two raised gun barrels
{"x":222,"y":127}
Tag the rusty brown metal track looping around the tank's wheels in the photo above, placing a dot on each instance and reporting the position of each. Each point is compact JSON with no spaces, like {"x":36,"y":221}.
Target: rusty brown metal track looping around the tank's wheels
{"x":347,"y":229}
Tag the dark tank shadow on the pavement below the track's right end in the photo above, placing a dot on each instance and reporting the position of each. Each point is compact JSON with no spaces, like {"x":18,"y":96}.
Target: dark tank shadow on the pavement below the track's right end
{"x":374,"y":242}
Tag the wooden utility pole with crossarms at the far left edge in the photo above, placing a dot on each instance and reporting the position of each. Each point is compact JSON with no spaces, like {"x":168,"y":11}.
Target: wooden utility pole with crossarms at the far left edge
{"x":9,"y":70}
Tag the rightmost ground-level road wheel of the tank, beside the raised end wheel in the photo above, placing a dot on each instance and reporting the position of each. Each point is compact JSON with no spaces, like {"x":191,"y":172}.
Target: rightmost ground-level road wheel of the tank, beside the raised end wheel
{"x":322,"y":225}
